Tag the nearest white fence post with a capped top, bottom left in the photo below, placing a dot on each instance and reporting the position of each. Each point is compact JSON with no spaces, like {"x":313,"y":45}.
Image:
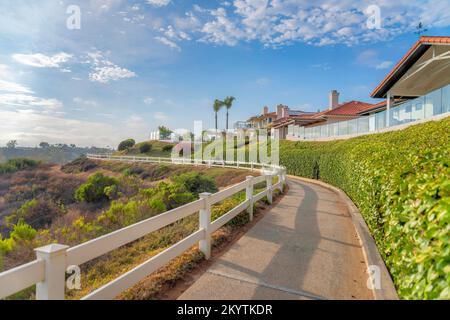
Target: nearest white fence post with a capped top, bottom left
{"x":53,"y":286}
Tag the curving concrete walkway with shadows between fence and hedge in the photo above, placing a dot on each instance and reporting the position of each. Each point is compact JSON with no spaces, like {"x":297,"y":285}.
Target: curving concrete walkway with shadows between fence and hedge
{"x":306,"y":247}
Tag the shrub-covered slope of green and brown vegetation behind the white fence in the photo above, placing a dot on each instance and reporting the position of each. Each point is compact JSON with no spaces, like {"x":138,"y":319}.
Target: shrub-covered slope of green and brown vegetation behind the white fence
{"x":86,"y":199}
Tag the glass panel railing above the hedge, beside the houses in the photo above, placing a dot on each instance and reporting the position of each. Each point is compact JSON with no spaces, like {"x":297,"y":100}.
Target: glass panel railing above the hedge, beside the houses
{"x":434,"y":103}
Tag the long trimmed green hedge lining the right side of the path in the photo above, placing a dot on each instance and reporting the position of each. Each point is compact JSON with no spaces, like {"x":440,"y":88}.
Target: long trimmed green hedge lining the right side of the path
{"x":400,"y":181}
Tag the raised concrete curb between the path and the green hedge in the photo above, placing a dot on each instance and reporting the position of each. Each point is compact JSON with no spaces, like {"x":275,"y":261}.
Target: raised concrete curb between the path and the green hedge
{"x":370,"y":250}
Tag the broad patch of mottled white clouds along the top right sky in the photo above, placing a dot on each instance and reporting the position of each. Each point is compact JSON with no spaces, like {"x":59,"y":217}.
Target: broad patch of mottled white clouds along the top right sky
{"x":278,"y":23}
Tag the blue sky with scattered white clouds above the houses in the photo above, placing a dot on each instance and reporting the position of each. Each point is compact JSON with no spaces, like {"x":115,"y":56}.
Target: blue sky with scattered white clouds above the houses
{"x":134,"y":65}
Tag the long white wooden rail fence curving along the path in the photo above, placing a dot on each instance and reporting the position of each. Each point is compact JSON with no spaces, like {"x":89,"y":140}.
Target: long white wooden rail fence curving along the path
{"x":48,"y":271}
